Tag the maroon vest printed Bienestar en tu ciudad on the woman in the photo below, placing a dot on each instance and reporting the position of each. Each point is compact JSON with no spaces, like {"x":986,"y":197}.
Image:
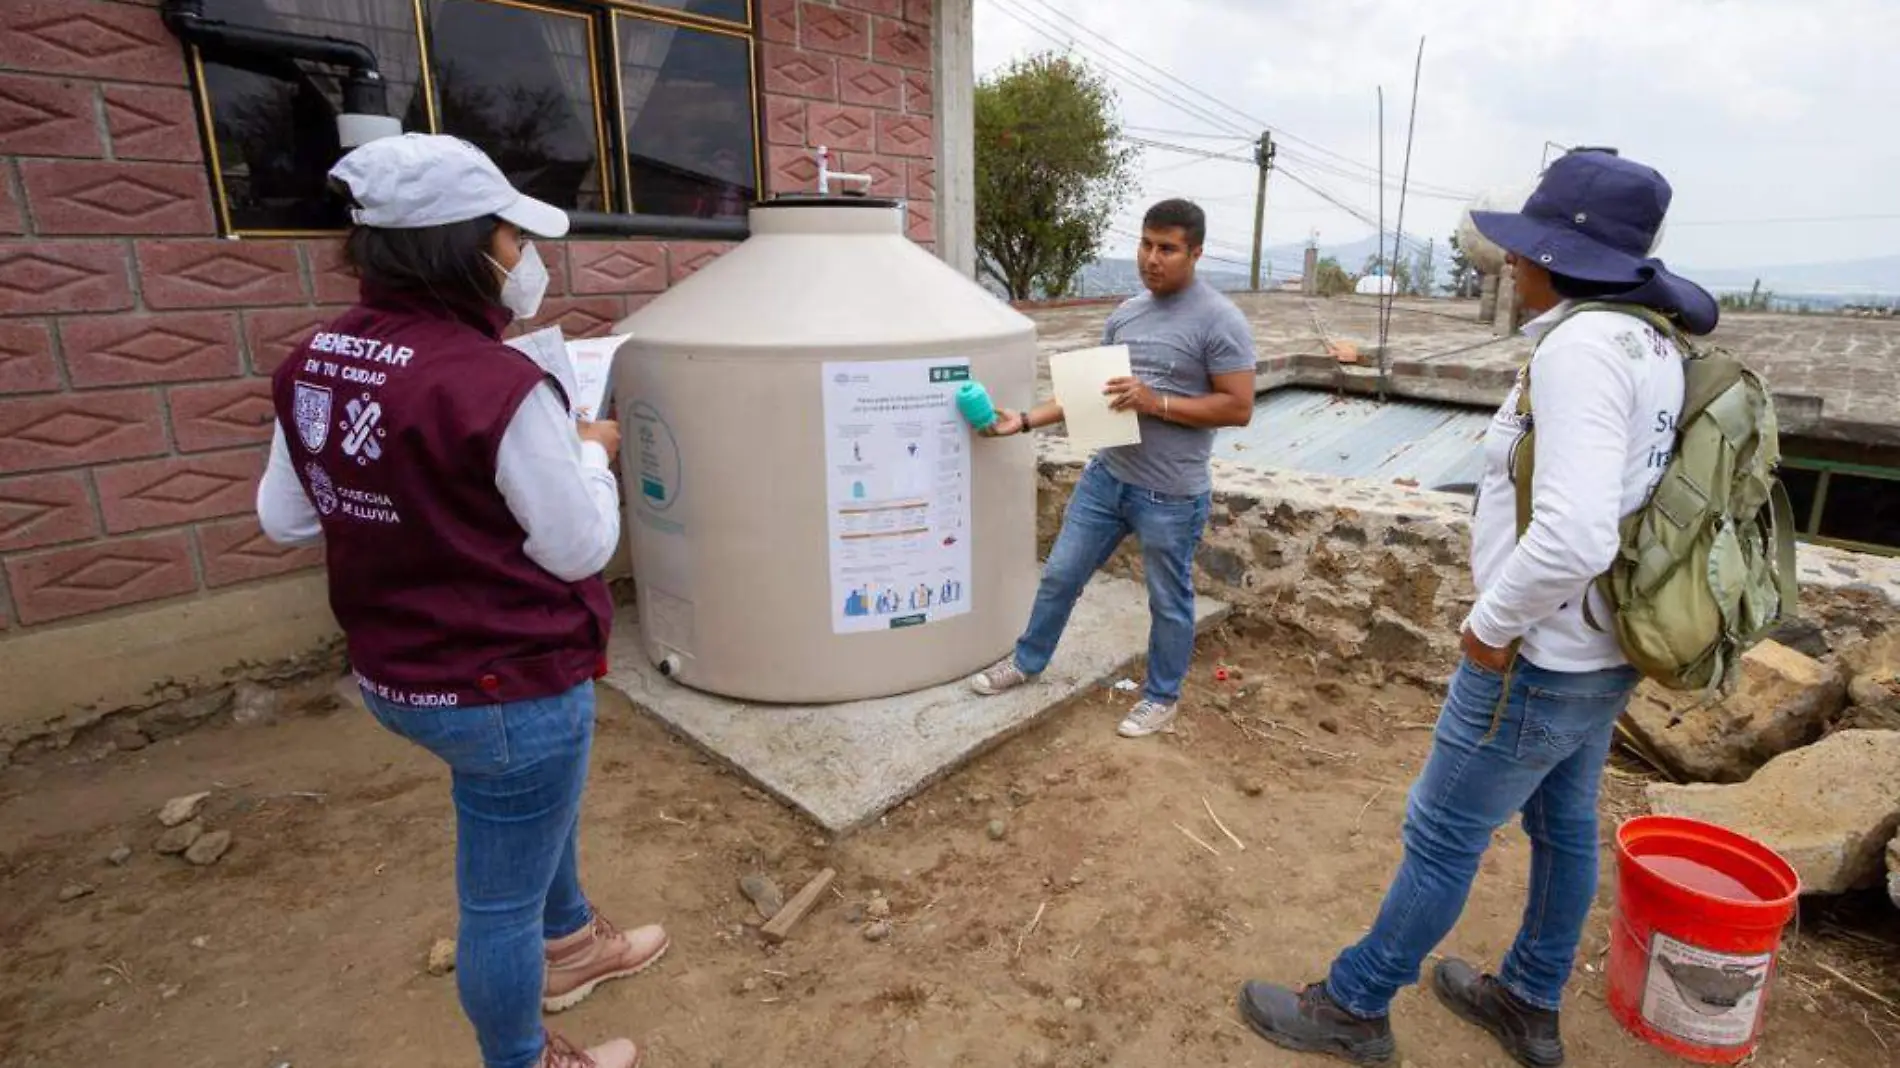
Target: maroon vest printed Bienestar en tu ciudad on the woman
{"x":394,"y":415}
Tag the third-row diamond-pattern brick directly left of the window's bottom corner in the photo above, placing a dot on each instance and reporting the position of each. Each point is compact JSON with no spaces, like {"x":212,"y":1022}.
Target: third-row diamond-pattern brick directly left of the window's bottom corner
{"x":96,"y":197}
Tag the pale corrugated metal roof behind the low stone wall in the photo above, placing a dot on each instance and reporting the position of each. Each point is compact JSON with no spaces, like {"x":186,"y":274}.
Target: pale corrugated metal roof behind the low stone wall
{"x":1327,"y":434}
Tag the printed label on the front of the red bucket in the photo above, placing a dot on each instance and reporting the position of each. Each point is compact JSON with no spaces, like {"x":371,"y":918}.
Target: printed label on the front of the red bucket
{"x":1705,"y":997}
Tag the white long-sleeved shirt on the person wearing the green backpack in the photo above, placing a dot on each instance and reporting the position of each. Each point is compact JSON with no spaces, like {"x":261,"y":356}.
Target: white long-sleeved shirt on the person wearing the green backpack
{"x":1606,"y":392}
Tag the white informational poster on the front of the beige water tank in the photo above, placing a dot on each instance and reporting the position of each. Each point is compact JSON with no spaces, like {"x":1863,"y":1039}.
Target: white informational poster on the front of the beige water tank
{"x":898,"y":493}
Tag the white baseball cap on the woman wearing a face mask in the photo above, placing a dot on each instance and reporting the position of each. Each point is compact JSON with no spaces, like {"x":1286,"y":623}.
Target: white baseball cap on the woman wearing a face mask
{"x":432,"y":180}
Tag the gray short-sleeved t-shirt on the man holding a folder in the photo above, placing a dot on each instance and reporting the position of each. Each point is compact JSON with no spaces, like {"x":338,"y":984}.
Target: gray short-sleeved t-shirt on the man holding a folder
{"x":1177,"y":345}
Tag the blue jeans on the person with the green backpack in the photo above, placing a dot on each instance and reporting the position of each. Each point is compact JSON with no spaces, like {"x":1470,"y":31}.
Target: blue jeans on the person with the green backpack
{"x":1546,"y":761}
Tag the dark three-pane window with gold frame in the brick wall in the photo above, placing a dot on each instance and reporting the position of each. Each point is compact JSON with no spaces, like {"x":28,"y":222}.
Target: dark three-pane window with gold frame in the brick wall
{"x":594,"y":105}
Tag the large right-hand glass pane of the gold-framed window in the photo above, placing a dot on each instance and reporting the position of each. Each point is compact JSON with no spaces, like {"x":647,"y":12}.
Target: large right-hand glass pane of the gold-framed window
{"x":689,"y":117}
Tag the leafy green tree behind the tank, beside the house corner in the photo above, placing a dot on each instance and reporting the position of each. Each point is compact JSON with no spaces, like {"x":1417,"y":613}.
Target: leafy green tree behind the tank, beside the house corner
{"x":1052,"y":172}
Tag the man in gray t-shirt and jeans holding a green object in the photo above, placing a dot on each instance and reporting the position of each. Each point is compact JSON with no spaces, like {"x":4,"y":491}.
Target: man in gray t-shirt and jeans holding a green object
{"x":1192,"y":356}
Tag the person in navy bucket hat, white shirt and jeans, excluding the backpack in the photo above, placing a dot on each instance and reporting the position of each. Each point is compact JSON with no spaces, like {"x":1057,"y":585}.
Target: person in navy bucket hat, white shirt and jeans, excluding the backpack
{"x":1530,"y":712}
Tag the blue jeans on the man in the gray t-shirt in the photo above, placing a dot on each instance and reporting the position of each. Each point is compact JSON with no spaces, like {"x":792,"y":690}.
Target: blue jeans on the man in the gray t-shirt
{"x":1101,"y":514}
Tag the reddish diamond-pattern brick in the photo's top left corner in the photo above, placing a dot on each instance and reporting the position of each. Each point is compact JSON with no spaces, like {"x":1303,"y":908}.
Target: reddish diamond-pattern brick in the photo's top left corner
{"x":88,"y":39}
